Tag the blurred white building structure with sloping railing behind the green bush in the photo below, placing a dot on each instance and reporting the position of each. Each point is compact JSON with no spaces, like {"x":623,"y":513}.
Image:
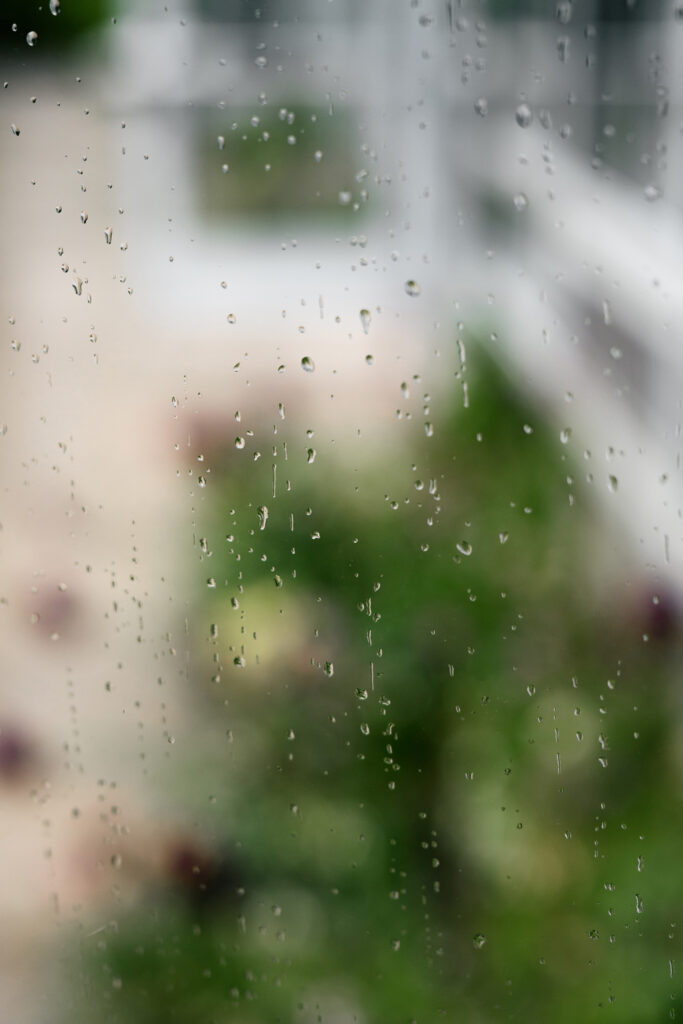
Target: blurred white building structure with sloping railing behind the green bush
{"x":565,"y":225}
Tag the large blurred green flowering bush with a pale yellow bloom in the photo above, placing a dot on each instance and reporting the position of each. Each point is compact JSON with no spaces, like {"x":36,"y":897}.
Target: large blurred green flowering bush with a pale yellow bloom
{"x":484,"y":826}
